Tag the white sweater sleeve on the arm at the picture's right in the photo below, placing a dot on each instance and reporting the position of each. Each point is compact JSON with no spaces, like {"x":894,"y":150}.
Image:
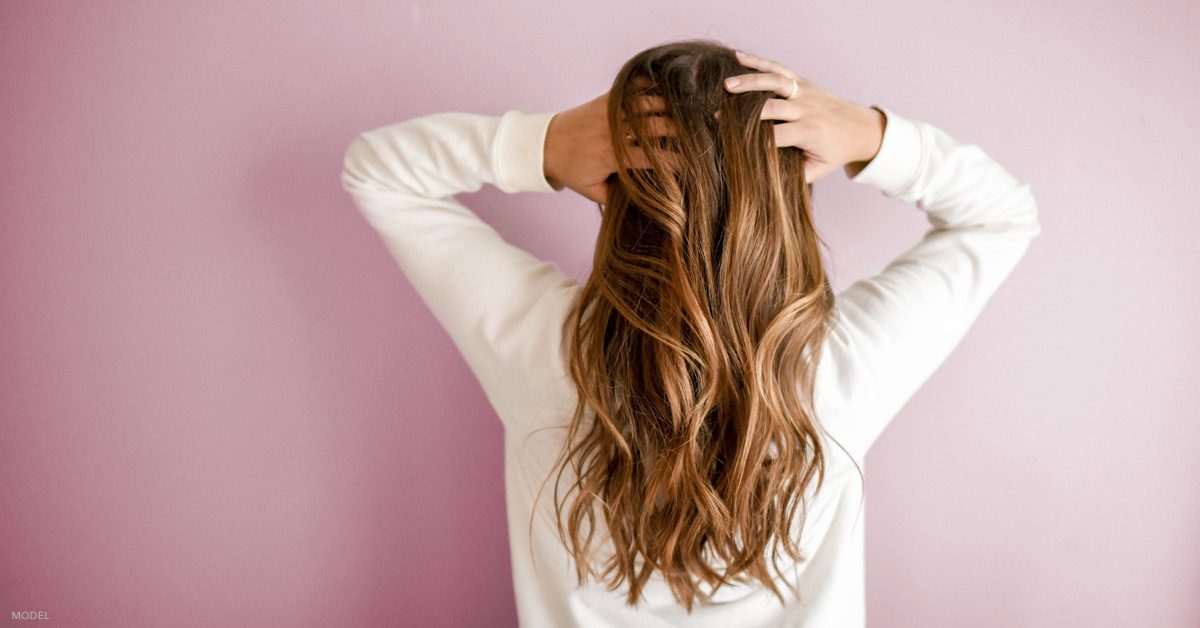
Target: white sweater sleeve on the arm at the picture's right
{"x":892,"y":331}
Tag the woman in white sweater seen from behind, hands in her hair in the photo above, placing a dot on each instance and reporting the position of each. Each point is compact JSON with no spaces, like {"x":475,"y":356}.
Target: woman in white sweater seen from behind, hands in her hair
{"x":704,"y":402}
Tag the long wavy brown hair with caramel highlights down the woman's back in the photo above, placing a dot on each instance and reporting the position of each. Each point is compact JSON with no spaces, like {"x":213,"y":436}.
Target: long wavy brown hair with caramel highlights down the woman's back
{"x":695,"y":339}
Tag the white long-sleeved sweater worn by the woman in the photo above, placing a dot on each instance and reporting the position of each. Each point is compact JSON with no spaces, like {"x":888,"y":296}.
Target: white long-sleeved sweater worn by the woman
{"x":503,"y":309}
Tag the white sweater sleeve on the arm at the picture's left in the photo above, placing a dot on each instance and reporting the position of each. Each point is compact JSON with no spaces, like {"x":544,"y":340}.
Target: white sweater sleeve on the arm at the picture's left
{"x":496,"y":301}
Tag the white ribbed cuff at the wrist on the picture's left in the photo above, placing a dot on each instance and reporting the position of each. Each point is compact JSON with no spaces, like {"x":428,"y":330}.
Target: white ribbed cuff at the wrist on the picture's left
{"x":520,"y":152}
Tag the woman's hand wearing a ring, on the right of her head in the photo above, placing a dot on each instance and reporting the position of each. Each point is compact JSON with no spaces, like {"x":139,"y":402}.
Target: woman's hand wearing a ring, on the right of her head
{"x":833,"y":133}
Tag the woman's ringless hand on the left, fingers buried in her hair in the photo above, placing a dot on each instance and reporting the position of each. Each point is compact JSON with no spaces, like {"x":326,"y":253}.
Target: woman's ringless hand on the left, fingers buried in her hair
{"x":579,"y":152}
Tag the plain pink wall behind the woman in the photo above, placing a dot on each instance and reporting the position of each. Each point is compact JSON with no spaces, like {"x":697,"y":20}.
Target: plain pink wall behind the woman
{"x":224,"y":404}
